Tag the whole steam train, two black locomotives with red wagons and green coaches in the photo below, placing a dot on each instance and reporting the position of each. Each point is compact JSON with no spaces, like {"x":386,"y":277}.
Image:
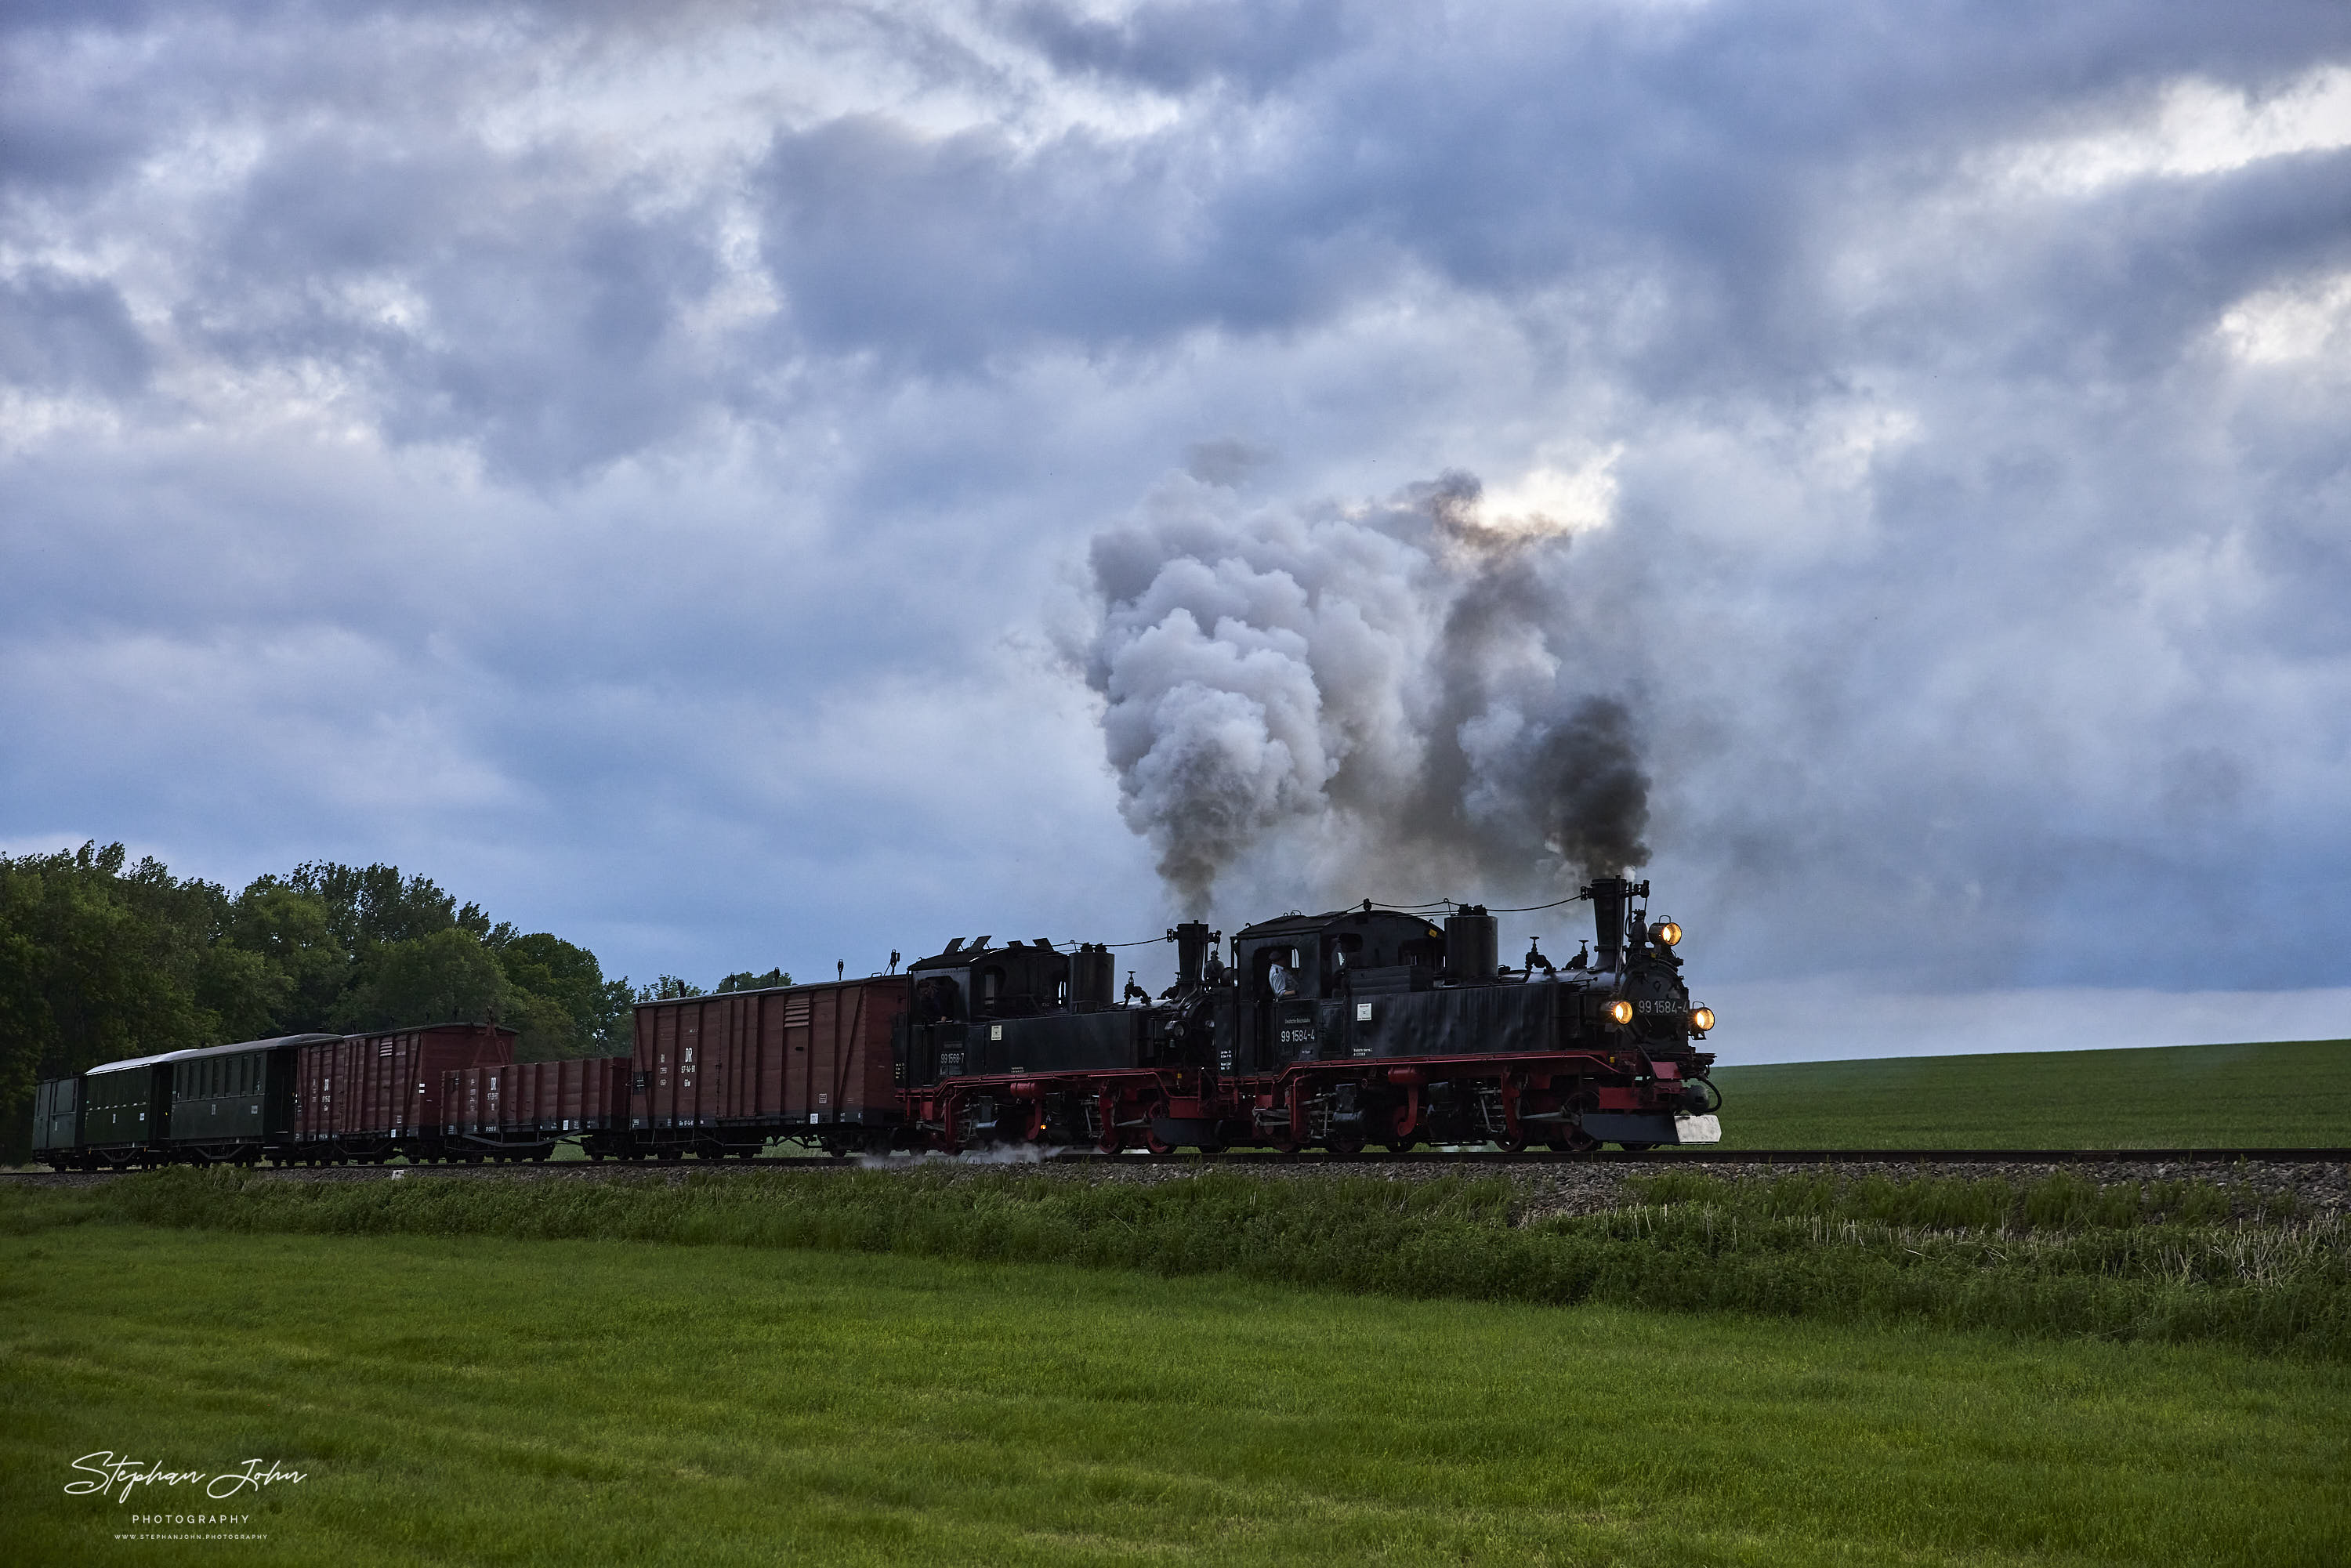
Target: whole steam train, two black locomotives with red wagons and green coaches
{"x":1346,"y":1031}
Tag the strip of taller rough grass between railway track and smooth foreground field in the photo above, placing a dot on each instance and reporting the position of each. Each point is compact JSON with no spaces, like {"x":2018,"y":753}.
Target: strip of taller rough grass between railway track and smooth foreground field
{"x":2049,"y":1259}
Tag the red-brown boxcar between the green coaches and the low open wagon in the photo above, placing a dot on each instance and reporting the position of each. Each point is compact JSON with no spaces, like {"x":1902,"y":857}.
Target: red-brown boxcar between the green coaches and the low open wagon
{"x":370,"y":1097}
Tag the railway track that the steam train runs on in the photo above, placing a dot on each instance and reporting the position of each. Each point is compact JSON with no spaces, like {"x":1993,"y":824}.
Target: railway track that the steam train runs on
{"x":1367,"y":1162}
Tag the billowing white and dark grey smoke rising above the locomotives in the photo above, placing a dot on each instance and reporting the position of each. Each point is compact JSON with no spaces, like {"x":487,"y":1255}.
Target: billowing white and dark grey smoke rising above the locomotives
{"x":1381,"y":695}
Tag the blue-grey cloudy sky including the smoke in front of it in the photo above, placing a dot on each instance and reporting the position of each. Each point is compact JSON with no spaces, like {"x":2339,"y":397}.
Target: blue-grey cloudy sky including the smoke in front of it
{"x":746,"y":485}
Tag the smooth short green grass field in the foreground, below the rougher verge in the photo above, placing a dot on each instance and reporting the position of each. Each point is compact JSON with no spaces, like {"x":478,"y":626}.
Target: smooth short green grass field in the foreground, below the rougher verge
{"x":462,"y":1400}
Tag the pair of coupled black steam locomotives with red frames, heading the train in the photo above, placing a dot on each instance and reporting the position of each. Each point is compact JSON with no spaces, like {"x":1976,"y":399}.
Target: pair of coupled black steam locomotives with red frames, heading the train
{"x":1325,"y":1031}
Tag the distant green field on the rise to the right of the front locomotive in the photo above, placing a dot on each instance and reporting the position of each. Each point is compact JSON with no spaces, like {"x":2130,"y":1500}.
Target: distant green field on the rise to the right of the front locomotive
{"x":2293,"y":1094}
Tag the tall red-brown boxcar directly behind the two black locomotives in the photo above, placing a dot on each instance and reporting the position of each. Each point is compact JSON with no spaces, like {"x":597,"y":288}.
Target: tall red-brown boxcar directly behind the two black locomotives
{"x":739,"y":1068}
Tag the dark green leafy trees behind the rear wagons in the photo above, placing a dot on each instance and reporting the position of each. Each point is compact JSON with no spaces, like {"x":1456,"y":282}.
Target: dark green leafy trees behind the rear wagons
{"x":102,"y":960}
